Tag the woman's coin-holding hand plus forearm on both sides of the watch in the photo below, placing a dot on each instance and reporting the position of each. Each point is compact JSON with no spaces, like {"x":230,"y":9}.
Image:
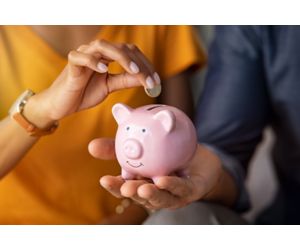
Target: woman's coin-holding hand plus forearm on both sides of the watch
{"x":78,"y":87}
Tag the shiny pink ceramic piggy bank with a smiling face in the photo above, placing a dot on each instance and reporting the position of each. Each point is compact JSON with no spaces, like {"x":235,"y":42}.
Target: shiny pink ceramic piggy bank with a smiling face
{"x":153,"y":140}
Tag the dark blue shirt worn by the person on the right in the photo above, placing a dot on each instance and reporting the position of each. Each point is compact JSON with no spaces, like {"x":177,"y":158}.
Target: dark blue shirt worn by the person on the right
{"x":253,"y":81}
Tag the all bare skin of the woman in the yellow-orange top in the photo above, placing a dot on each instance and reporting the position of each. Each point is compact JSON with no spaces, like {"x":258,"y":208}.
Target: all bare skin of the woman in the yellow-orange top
{"x":15,"y":142}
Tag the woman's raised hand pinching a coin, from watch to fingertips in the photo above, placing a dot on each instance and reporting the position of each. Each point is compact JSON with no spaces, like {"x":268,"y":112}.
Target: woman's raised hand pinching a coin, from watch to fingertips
{"x":84,"y":82}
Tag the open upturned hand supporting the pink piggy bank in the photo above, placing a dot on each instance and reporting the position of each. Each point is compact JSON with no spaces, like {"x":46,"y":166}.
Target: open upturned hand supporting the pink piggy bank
{"x":206,"y":180}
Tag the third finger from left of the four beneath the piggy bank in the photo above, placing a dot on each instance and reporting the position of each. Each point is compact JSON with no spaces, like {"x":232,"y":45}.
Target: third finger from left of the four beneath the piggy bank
{"x":156,"y":197}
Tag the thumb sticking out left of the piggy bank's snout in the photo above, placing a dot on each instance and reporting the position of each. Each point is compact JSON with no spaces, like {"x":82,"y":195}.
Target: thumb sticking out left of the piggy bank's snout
{"x":102,"y":148}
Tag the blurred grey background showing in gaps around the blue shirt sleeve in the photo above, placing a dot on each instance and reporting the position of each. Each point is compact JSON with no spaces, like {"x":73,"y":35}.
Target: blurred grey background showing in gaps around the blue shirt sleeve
{"x":261,"y":181}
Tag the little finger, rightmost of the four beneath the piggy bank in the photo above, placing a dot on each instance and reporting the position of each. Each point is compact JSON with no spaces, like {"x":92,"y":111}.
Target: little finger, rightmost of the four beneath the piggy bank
{"x":182,"y":187}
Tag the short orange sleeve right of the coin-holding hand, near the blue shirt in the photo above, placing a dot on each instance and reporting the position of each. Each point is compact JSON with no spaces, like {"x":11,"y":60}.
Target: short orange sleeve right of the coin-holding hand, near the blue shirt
{"x":180,"y":49}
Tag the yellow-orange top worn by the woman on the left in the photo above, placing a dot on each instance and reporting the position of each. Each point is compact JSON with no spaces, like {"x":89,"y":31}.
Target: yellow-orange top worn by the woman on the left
{"x":57,"y":182}
